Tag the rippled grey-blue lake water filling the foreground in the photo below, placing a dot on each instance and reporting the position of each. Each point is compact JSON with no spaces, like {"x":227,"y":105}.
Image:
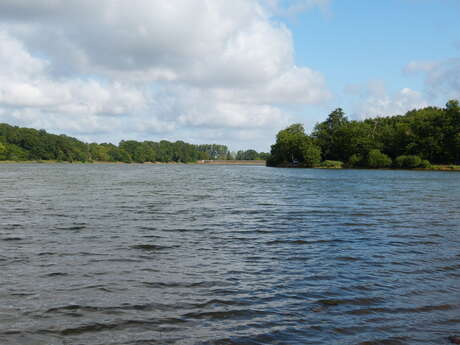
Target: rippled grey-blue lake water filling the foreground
{"x":163,"y":254}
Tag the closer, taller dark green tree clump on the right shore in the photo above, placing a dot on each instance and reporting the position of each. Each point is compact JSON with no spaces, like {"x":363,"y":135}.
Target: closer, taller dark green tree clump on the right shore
{"x":417,"y":139}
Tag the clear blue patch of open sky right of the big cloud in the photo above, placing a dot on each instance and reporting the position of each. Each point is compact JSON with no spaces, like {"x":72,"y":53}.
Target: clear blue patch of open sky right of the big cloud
{"x":359,"y":41}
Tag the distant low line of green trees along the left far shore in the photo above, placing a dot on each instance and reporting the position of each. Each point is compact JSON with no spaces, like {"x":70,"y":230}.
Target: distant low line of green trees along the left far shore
{"x":27,"y":144}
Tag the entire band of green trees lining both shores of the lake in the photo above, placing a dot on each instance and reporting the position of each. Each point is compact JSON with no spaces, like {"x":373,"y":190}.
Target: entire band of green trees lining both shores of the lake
{"x":417,"y":139}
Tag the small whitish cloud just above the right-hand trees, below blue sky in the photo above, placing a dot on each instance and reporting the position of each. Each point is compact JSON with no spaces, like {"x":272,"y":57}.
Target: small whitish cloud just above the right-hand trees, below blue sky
{"x":375,"y":100}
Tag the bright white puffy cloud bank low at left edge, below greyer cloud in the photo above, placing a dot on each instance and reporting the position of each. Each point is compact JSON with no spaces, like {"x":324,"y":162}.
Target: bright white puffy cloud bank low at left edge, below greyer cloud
{"x":26,"y":88}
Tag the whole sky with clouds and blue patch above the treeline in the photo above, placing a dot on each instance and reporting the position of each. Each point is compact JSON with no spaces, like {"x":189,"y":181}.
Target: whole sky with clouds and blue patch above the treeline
{"x":218,"y":71}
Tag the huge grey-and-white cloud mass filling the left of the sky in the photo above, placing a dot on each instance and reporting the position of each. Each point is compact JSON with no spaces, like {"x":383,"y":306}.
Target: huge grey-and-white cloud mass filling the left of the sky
{"x":162,"y":66}
